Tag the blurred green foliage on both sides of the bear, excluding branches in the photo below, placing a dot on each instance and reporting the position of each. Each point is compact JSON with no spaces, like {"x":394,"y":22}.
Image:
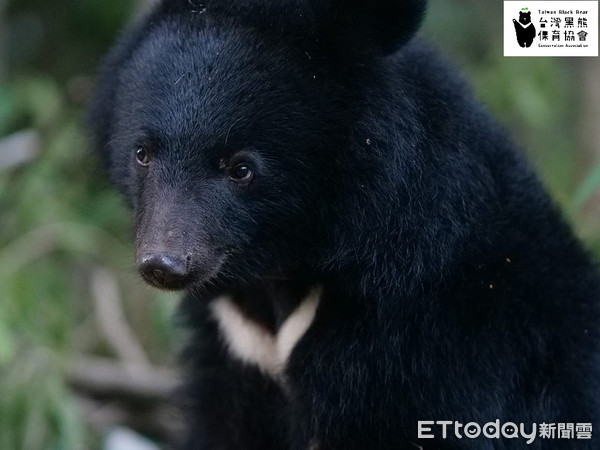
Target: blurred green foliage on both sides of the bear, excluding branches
{"x":59,"y":220}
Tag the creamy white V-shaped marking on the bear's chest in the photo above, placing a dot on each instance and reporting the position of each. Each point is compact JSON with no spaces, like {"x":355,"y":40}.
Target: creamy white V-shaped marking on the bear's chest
{"x":253,"y":344}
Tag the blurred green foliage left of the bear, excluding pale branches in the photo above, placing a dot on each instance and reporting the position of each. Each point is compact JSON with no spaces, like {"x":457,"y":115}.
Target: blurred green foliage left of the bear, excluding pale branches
{"x":58,"y":221}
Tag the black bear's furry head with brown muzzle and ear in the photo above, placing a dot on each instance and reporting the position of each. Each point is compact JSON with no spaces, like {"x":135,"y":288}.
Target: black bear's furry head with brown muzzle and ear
{"x":226,"y":125}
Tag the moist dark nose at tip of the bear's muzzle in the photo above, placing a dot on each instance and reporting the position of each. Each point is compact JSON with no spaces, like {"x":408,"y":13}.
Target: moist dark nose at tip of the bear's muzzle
{"x":162,"y":269}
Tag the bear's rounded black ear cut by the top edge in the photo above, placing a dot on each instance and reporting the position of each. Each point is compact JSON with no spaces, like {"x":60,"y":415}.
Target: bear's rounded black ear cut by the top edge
{"x":384,"y":25}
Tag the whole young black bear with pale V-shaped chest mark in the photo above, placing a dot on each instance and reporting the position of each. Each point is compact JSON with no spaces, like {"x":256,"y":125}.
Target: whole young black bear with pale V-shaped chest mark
{"x":363,"y":250}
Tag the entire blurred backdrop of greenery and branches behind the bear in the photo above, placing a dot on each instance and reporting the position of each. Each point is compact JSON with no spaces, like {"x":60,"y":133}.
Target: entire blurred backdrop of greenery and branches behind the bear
{"x":86,"y":350}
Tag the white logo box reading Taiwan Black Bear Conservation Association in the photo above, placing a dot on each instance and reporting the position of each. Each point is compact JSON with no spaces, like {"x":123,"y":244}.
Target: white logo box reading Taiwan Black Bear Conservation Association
{"x":576,"y":23}
